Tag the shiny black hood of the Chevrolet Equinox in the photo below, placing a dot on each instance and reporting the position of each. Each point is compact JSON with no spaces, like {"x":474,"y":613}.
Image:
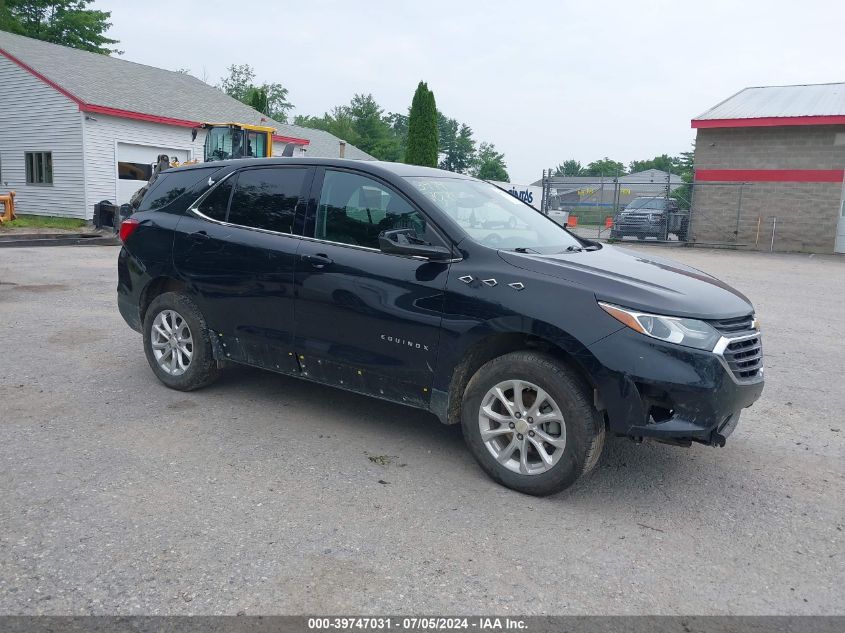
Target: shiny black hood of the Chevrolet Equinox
{"x":640,"y":281}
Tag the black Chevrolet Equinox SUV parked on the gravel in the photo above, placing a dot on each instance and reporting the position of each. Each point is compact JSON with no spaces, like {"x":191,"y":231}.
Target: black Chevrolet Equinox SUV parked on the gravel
{"x":373,"y":277}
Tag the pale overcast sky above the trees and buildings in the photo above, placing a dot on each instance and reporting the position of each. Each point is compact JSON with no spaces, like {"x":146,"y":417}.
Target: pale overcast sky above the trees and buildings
{"x":544,"y":81}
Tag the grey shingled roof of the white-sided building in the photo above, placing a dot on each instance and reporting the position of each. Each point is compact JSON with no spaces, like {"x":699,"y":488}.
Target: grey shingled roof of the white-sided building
{"x":127,"y":87}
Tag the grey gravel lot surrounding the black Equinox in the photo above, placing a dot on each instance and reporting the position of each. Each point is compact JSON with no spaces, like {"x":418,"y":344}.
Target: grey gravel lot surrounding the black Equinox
{"x":259,"y":494}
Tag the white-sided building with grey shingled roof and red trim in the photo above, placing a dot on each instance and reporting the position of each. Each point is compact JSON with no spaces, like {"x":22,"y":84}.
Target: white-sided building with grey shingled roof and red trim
{"x":77,"y":128}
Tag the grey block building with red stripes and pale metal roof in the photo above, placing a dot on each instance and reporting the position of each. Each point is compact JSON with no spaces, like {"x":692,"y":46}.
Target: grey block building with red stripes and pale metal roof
{"x":769,"y":165}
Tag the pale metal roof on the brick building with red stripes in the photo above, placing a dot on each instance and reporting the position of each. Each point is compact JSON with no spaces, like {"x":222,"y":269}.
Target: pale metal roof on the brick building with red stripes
{"x":811,"y":100}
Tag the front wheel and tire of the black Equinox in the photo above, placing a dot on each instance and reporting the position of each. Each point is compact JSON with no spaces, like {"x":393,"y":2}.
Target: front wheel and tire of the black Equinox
{"x":579,"y":437}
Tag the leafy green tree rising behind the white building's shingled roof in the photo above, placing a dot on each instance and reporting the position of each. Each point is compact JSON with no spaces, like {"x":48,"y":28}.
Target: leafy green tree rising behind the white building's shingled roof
{"x":65,"y":22}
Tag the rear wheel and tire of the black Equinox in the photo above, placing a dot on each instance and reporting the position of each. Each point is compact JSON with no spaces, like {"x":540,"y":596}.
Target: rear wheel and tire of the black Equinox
{"x":178,"y":312}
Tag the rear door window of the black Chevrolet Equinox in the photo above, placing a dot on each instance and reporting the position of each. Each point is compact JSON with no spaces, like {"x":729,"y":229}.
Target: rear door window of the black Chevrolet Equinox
{"x":268,"y":198}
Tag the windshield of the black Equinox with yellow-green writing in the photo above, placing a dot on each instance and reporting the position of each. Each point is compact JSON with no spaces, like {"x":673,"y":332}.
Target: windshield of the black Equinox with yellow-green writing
{"x":493,"y":217}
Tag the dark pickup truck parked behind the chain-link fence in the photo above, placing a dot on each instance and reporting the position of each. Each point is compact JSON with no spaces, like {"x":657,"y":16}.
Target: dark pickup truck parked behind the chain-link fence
{"x":652,"y":217}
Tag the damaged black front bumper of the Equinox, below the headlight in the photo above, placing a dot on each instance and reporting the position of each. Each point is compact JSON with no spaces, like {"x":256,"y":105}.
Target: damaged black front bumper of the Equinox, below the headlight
{"x":668,"y":392}
